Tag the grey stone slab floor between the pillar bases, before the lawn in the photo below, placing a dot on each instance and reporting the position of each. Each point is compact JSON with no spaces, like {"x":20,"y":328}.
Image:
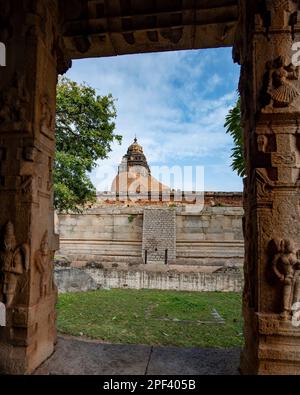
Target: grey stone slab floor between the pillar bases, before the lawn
{"x":85,"y":357}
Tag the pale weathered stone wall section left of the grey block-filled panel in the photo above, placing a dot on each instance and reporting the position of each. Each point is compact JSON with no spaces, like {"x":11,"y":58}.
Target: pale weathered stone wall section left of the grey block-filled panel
{"x":106,"y":234}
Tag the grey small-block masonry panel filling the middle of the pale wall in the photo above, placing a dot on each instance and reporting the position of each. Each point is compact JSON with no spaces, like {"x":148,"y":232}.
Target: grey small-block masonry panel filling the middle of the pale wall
{"x":159,"y":235}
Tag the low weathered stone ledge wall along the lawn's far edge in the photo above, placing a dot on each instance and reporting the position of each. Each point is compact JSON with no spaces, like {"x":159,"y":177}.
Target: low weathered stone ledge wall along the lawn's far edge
{"x":76,"y":280}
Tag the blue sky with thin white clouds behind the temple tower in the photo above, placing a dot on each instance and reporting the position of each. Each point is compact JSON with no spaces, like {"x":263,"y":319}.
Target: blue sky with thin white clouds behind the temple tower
{"x":175,"y":103}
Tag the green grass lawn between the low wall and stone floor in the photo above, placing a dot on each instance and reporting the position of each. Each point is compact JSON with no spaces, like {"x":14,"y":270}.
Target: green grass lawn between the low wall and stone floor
{"x":152,"y":317}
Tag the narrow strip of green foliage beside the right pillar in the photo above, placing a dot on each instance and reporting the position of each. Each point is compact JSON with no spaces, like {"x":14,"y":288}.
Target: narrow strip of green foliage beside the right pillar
{"x":234,"y":128}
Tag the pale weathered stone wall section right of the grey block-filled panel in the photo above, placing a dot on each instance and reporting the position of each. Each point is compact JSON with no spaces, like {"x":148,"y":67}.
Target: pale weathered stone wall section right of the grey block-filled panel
{"x":213,"y":237}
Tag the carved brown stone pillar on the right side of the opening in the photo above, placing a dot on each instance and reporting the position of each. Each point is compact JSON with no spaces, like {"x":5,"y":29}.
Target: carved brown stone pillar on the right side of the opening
{"x":270,"y":97}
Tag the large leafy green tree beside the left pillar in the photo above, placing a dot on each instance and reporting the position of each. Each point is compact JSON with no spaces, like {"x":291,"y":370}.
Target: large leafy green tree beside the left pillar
{"x":84,"y":133}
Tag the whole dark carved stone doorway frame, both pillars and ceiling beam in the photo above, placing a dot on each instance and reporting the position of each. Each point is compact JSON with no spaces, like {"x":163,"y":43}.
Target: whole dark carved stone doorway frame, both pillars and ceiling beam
{"x":41,"y":37}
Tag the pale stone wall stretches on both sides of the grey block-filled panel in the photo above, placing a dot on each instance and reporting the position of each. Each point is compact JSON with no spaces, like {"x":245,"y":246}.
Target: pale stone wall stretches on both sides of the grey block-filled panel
{"x":113,"y":235}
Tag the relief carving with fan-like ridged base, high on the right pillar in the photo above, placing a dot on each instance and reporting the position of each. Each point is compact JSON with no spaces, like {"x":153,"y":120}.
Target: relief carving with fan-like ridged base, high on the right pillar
{"x":281,"y":91}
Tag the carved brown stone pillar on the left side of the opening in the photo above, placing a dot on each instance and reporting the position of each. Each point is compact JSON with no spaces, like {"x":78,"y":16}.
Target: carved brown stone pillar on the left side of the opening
{"x":29,"y":29}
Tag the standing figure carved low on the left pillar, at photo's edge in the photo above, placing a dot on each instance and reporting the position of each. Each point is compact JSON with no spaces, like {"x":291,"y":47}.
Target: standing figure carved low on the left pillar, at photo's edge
{"x":14,"y":261}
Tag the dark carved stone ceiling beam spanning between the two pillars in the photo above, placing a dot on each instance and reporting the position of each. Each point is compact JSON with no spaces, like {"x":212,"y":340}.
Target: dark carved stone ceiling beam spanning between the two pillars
{"x":96,"y":28}
